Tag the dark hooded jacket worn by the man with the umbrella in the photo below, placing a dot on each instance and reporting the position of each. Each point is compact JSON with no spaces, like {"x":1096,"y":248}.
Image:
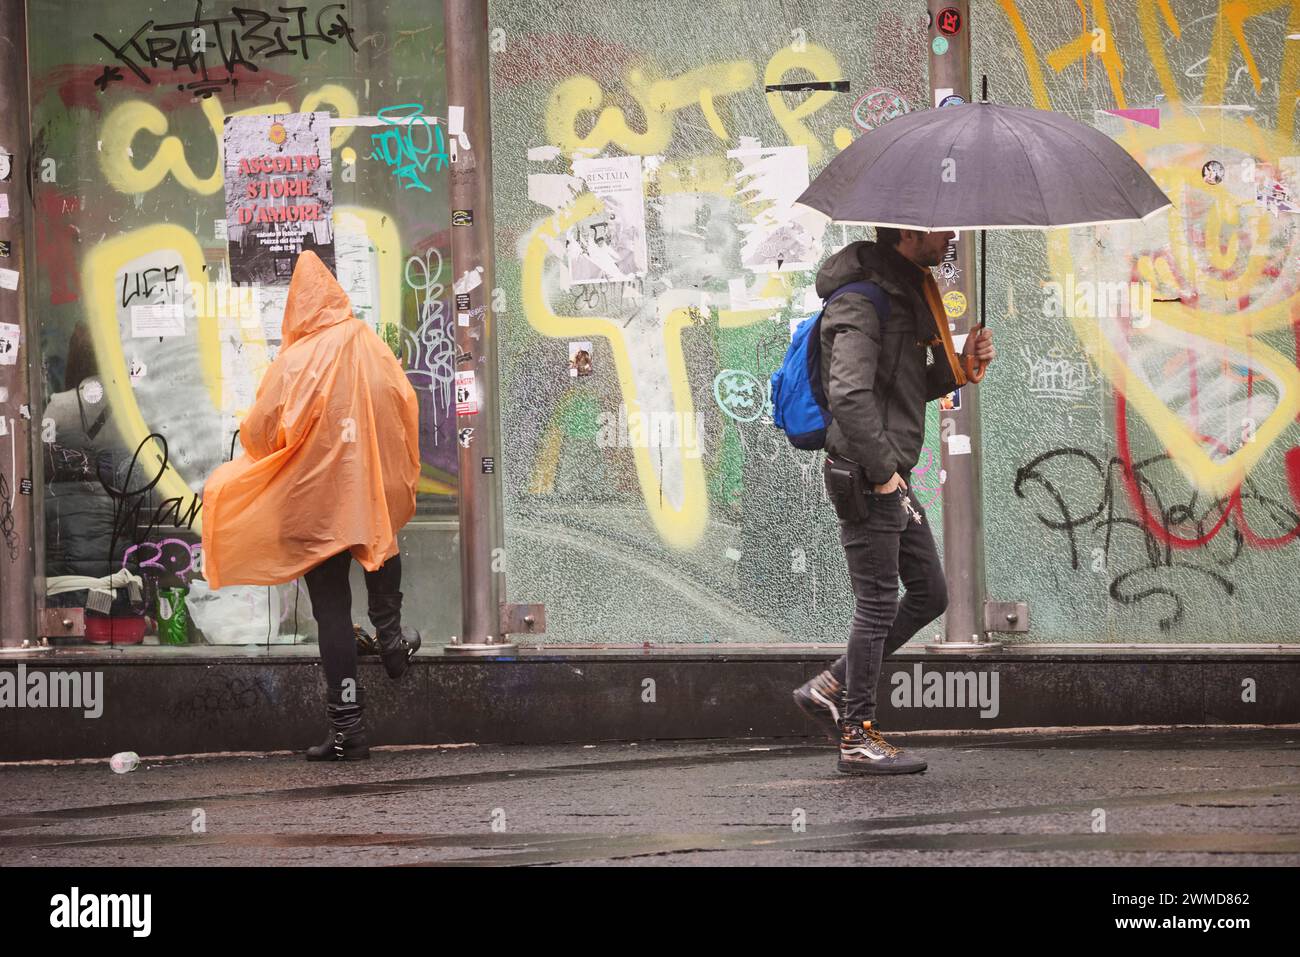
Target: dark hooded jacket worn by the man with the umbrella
{"x":879,"y":376}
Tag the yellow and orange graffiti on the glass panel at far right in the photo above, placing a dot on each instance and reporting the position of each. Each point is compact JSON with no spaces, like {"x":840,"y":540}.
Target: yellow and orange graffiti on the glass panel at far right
{"x":1175,"y":323}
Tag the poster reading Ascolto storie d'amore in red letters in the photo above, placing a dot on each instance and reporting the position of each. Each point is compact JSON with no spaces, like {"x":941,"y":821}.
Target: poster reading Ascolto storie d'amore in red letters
{"x":280,"y":197}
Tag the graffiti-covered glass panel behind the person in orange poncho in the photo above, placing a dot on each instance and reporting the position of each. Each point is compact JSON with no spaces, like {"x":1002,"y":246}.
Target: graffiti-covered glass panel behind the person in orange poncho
{"x":184,"y":155}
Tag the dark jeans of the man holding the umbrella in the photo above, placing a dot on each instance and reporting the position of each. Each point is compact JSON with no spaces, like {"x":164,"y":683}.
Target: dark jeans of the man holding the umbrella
{"x":879,"y":551}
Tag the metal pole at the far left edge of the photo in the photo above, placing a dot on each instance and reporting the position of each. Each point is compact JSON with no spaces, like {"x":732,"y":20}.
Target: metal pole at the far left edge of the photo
{"x":21,"y":504}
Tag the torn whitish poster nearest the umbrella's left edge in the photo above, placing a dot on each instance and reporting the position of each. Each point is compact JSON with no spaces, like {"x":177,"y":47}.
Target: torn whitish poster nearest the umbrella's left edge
{"x":781,"y":236}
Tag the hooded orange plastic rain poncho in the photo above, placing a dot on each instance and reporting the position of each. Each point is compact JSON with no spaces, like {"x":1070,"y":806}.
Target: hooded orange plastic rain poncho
{"x":331,"y":449}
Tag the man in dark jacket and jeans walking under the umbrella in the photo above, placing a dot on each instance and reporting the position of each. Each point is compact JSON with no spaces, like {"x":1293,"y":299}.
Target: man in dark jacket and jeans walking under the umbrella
{"x":879,"y":369}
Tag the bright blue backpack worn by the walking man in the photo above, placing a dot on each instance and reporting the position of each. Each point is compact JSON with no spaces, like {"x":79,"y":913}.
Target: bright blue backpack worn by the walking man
{"x":799,"y":405}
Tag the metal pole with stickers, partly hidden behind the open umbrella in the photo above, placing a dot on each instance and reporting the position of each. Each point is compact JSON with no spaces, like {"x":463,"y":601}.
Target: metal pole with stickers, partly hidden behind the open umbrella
{"x":960,"y":456}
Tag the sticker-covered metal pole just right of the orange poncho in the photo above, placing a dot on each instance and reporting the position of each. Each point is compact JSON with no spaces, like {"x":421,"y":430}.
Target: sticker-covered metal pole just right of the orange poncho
{"x":478,"y":399}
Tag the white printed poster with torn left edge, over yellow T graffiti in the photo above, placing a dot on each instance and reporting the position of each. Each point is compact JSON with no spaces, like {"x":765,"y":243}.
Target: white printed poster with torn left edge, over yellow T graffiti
{"x":610,"y":248}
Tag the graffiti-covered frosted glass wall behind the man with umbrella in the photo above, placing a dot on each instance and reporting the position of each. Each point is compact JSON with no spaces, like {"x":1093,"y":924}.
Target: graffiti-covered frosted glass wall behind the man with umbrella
{"x":1142,"y":473}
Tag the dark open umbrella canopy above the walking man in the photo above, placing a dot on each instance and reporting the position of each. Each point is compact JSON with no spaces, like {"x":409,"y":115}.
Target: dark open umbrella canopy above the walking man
{"x":983,"y":166}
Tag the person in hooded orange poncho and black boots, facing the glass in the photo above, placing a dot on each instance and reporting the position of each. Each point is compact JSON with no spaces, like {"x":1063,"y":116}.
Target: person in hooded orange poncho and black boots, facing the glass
{"x":328,"y":474}
